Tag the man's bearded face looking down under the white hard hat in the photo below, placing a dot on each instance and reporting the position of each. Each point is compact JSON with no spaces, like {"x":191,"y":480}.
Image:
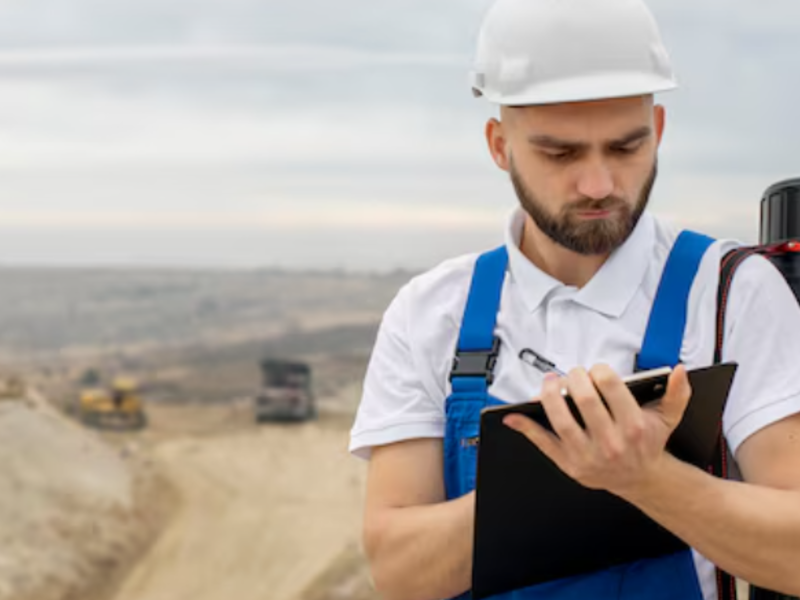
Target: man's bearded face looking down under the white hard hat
{"x":584,"y":171}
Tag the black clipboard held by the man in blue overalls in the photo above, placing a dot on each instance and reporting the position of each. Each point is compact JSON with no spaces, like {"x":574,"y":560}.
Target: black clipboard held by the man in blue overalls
{"x":533,"y":524}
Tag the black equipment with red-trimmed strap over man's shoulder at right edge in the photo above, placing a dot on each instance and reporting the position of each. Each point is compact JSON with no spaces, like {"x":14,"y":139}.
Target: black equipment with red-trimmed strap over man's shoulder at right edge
{"x":779,"y":242}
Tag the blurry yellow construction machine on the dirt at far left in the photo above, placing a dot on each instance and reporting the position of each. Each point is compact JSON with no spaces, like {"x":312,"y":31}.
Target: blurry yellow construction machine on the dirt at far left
{"x":118,"y":407}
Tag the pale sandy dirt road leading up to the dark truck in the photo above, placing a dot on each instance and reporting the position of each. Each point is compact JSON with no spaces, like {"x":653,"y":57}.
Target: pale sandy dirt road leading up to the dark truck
{"x":264,"y":511}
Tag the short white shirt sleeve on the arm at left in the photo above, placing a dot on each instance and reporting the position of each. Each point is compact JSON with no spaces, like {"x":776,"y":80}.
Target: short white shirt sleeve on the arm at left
{"x":395,"y":405}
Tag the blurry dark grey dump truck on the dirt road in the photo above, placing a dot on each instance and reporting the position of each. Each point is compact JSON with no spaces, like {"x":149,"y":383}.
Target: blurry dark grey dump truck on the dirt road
{"x":286,"y":392}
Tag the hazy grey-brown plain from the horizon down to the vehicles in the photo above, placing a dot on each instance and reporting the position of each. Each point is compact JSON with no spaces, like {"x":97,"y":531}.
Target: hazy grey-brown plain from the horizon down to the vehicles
{"x":188,"y":335}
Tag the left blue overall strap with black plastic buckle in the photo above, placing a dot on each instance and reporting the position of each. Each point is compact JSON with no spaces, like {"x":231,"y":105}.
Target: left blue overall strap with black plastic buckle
{"x":477,"y":350}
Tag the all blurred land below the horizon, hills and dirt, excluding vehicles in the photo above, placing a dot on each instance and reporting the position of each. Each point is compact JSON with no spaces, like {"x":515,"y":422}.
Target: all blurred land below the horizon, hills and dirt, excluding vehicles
{"x":203,"y":500}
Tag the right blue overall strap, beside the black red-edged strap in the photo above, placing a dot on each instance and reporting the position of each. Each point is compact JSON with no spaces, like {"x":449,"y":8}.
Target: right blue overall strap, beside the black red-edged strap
{"x":664,"y":336}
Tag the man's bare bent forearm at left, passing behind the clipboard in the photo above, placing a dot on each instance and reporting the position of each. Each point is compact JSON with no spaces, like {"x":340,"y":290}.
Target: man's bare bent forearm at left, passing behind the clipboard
{"x":422,"y":552}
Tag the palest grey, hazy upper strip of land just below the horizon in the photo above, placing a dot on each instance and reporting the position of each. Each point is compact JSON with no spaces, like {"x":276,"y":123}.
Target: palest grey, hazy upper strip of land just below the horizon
{"x":45,"y":310}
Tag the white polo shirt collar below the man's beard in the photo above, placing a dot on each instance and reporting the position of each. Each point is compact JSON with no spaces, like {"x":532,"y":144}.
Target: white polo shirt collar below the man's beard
{"x":612,"y":288}
